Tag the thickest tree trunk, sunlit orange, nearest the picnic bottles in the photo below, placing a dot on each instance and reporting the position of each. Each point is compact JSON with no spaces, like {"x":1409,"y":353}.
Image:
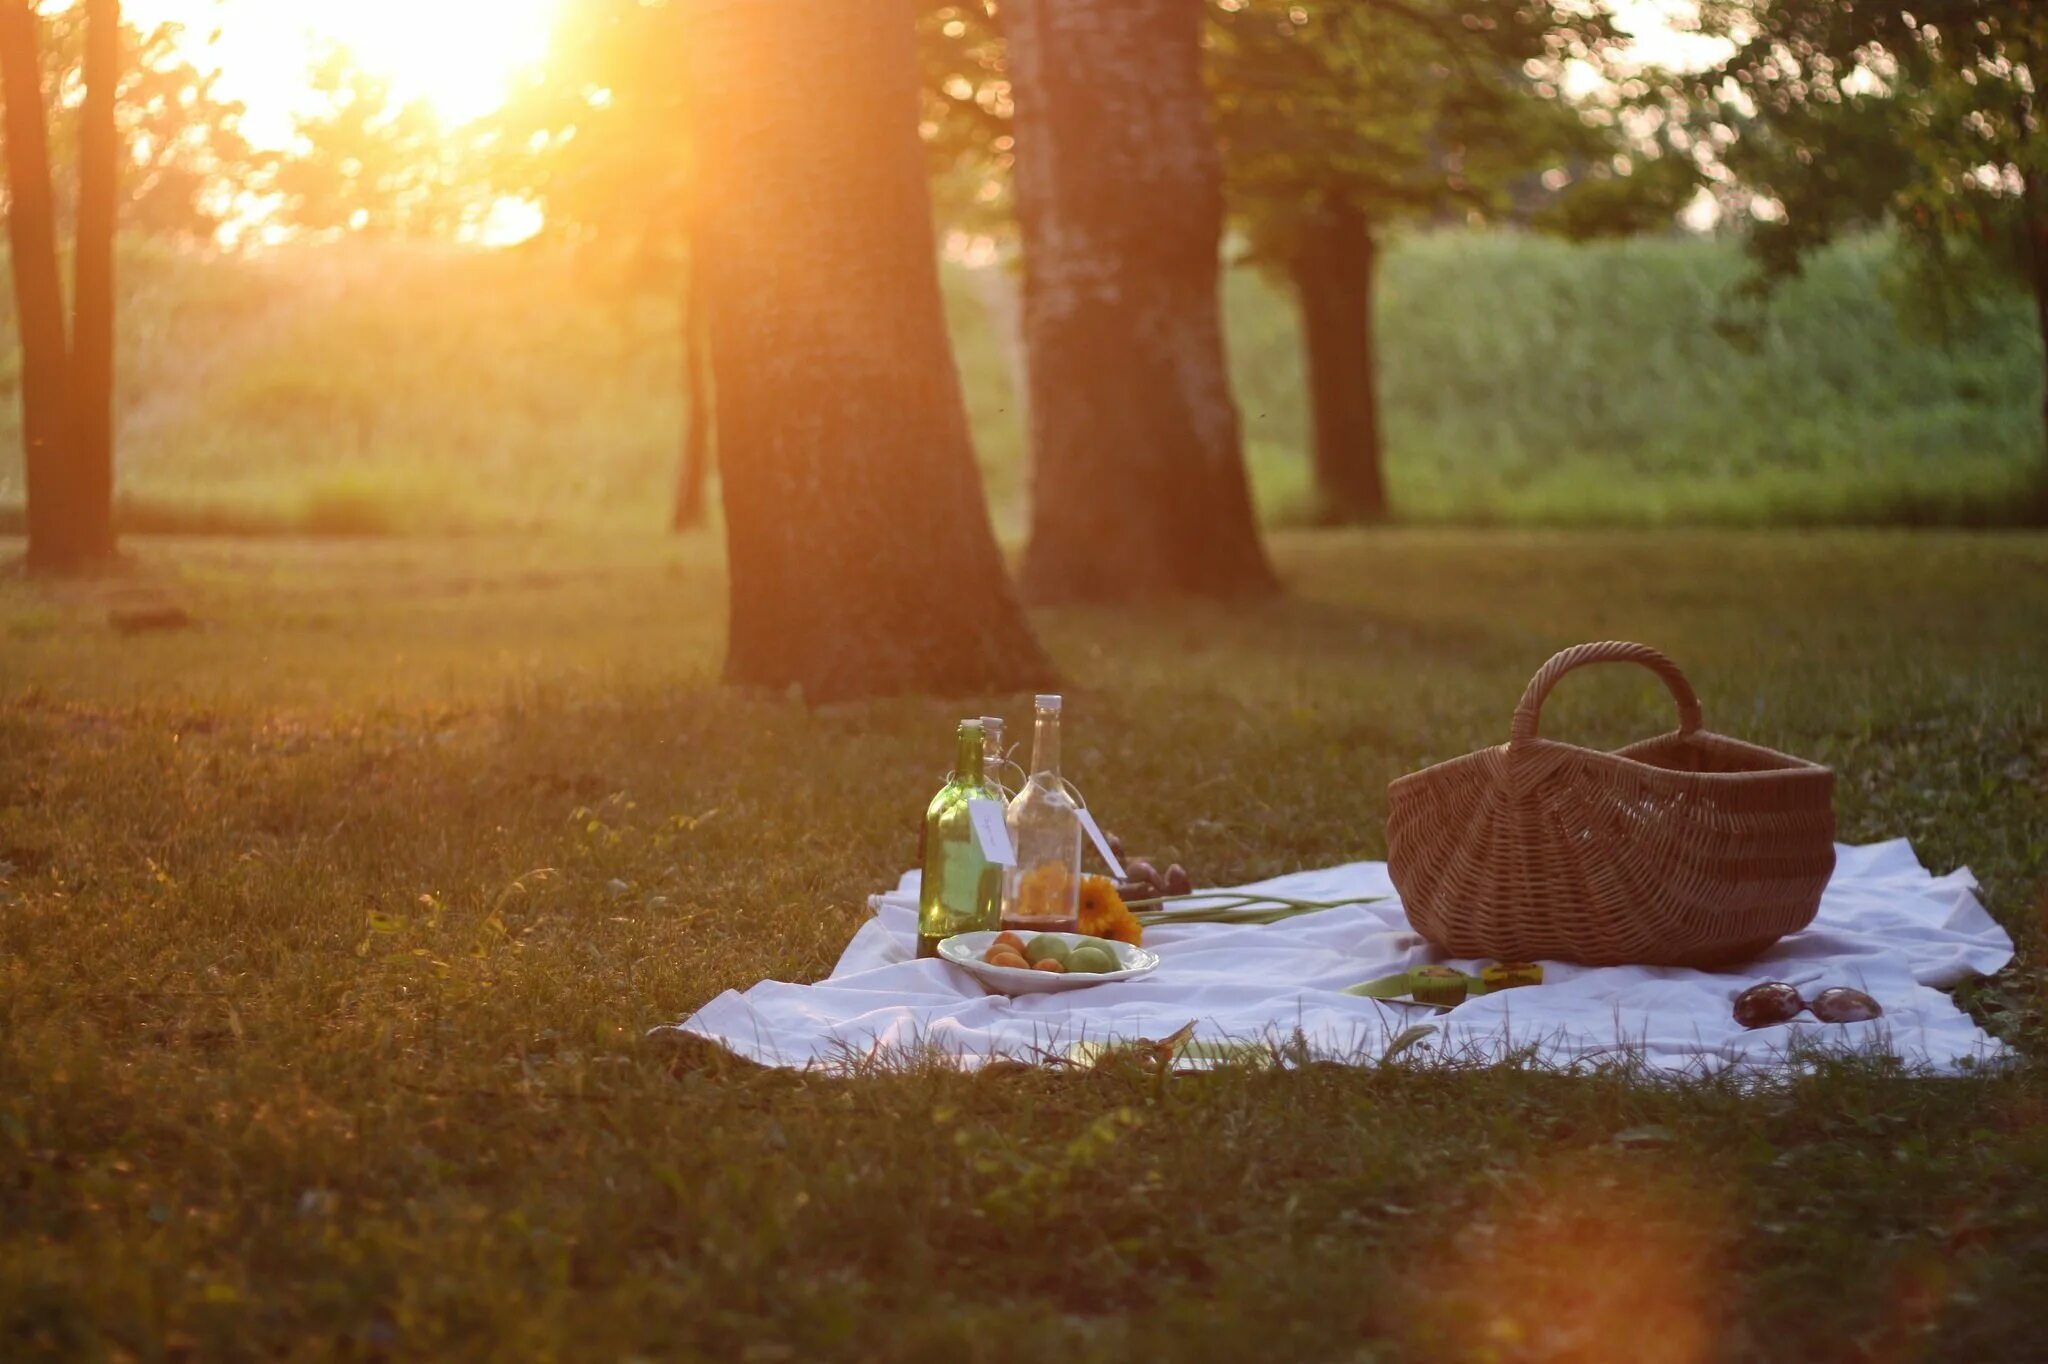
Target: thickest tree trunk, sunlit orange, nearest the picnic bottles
{"x":861,"y":552}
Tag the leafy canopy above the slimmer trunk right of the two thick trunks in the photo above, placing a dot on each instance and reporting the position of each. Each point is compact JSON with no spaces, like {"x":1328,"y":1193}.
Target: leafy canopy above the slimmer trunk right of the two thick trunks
{"x":1439,"y":112}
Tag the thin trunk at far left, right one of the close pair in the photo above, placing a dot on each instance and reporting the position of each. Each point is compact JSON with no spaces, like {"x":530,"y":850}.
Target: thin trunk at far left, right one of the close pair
{"x":93,"y":296}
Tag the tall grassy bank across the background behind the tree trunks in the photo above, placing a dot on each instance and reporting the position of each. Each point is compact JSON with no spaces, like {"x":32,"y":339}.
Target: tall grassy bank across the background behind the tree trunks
{"x":386,"y":388}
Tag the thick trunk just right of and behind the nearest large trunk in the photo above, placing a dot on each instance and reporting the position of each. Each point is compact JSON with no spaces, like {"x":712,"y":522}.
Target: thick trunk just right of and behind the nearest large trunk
{"x":1138,"y":470}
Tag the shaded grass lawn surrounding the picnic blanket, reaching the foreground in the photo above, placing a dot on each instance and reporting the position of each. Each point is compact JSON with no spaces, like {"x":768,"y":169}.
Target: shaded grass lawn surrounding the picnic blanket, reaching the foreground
{"x":331,"y":929}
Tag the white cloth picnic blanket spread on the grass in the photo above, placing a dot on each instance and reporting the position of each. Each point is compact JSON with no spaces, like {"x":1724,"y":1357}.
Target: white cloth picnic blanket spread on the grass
{"x":1885,"y":927}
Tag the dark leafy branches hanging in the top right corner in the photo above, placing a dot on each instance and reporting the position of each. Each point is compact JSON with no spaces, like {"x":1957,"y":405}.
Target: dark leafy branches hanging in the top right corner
{"x":1926,"y":116}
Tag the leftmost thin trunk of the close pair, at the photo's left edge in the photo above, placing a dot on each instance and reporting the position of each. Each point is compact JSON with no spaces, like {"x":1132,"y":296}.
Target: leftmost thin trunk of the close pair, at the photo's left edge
{"x":38,"y":292}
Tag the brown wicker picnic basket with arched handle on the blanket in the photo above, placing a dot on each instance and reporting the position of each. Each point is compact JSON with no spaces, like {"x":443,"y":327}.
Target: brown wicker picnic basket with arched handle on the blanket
{"x":1682,"y":851}
